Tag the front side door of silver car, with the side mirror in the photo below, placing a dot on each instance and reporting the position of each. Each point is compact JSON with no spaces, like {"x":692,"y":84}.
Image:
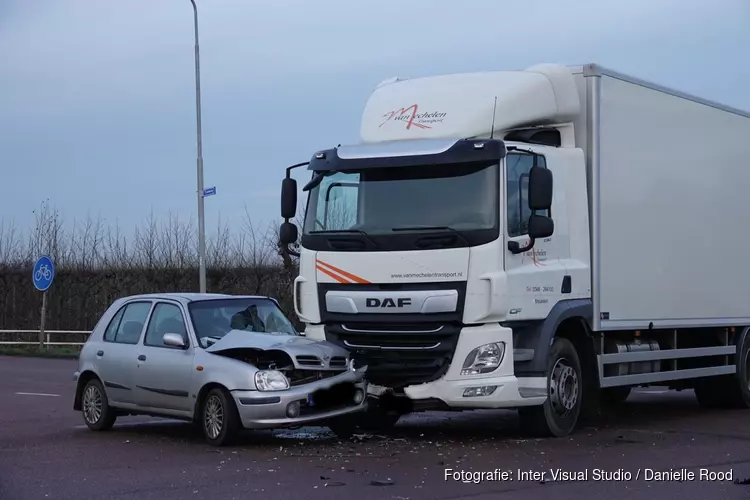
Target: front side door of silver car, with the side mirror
{"x":163,"y":376}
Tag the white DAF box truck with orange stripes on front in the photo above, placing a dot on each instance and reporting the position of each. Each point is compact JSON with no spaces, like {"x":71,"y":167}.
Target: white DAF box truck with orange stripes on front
{"x":543,"y":239}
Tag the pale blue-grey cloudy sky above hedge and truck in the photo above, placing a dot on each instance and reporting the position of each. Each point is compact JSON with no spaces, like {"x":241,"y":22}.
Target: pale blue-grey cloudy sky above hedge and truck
{"x":97,"y":97}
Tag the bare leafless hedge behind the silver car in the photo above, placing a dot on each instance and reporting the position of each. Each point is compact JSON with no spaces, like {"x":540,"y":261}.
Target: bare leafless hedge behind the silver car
{"x":96,"y":263}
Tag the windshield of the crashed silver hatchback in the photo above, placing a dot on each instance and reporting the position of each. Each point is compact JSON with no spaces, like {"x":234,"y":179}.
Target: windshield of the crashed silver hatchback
{"x":212,"y":319}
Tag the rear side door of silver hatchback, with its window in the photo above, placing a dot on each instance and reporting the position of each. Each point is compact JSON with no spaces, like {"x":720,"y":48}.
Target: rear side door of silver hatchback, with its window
{"x":116,"y":356}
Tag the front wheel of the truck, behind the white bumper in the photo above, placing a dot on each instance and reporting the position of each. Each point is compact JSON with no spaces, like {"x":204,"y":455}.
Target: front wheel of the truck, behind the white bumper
{"x":558,"y":415}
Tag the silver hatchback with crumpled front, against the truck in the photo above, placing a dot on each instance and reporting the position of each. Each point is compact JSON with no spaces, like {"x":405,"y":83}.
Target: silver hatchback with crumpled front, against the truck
{"x":225,"y":362}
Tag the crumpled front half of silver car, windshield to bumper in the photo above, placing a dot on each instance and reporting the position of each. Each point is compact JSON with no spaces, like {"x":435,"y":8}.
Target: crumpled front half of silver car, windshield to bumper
{"x":274,"y":377}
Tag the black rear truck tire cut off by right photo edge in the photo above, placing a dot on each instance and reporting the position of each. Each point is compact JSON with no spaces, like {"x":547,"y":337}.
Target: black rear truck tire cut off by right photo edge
{"x":728,"y":391}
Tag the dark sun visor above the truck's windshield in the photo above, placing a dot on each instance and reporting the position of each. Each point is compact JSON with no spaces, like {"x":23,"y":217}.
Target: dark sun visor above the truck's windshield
{"x":408,"y":154}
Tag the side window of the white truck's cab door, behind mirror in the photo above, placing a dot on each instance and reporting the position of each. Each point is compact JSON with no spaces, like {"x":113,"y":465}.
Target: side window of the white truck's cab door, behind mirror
{"x":518,"y":167}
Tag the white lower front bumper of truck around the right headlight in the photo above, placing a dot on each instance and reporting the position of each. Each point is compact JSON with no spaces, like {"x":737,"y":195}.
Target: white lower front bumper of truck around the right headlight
{"x":502,"y":389}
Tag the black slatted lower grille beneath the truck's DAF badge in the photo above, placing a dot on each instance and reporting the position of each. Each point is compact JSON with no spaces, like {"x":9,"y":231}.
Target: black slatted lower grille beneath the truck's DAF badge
{"x":398,"y":355}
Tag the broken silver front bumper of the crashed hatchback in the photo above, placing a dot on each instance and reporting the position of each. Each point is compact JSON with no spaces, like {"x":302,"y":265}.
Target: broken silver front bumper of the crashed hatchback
{"x":317,"y":401}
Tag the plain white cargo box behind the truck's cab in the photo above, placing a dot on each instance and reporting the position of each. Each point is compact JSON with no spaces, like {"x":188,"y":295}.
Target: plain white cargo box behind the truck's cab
{"x":669,"y":184}
